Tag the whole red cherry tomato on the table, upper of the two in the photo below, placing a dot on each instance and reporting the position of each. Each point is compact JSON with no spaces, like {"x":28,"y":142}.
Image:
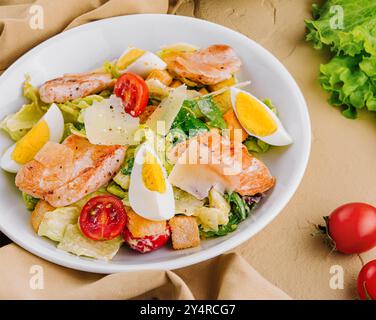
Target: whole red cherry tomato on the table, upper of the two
{"x":352,"y":227}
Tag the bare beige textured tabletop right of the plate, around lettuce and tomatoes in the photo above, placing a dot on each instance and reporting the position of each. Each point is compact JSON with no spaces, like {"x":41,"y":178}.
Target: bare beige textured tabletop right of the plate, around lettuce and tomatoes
{"x":341,"y":166}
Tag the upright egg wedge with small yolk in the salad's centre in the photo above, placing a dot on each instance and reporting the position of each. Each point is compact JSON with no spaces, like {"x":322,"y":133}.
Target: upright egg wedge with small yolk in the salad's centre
{"x":150,"y":193}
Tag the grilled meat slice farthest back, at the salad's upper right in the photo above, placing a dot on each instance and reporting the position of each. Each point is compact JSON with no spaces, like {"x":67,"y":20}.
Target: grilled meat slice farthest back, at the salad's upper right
{"x":208,"y":66}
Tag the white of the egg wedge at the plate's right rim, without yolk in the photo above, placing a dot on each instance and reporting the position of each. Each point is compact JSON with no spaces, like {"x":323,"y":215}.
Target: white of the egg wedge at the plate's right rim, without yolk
{"x":280,"y":137}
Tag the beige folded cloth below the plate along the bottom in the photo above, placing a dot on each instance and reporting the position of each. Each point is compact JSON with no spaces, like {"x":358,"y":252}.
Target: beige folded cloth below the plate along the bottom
{"x":25,"y":276}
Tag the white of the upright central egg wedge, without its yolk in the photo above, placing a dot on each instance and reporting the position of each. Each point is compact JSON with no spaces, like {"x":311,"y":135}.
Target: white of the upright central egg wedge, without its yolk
{"x":149,"y":204}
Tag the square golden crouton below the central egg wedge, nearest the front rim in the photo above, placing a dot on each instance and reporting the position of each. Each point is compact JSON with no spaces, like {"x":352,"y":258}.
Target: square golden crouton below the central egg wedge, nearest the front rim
{"x":184,"y":232}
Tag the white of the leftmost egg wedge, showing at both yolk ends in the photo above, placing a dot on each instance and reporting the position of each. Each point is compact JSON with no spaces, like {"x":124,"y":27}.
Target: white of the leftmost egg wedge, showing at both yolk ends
{"x":55,"y":122}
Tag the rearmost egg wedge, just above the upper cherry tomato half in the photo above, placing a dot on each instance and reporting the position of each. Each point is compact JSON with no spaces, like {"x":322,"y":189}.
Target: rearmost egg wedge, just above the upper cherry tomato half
{"x":139,"y":61}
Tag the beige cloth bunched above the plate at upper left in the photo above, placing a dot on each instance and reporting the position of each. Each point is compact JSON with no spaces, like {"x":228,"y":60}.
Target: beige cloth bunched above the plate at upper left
{"x":24,"y":24}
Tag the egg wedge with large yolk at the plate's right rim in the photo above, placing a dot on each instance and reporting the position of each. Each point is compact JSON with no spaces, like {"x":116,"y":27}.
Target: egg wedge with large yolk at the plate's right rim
{"x":258,"y":119}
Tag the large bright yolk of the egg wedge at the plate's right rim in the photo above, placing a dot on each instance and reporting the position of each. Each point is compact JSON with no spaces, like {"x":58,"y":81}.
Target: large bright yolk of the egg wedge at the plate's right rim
{"x":253,"y":116}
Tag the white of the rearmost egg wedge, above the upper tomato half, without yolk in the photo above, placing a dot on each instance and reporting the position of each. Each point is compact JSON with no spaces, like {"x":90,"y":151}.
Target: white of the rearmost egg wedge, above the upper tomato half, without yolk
{"x":144,"y":64}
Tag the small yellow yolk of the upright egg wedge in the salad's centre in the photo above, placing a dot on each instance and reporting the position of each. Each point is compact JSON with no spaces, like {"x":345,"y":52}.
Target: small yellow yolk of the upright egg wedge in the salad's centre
{"x":152,"y":174}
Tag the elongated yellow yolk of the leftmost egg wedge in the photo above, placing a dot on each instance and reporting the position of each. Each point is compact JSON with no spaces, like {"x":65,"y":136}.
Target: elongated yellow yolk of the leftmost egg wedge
{"x":31,"y":143}
